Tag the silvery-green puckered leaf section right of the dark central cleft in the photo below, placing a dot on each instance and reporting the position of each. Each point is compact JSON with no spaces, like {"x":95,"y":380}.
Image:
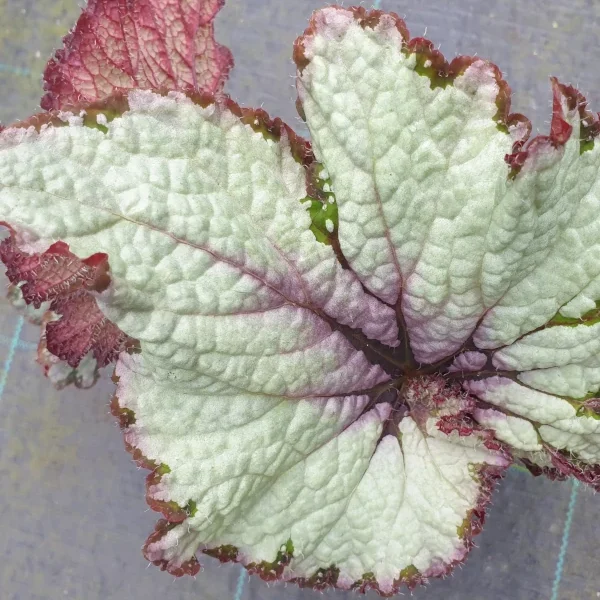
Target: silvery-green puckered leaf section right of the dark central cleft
{"x":487,"y":242}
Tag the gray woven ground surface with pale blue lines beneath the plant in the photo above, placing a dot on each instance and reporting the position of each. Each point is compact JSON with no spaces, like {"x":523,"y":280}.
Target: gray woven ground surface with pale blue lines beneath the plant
{"x":72,"y":511}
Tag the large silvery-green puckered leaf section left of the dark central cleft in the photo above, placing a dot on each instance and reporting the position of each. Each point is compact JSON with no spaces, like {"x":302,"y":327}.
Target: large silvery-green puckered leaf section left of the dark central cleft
{"x":249,"y":390}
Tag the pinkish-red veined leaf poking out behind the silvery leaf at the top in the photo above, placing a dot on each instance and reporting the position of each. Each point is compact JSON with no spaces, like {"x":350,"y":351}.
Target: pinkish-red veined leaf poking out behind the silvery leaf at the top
{"x":120,"y":45}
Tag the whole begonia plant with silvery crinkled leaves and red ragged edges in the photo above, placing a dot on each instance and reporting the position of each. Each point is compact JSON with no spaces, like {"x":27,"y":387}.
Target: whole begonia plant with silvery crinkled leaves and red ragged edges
{"x":326,"y":353}
